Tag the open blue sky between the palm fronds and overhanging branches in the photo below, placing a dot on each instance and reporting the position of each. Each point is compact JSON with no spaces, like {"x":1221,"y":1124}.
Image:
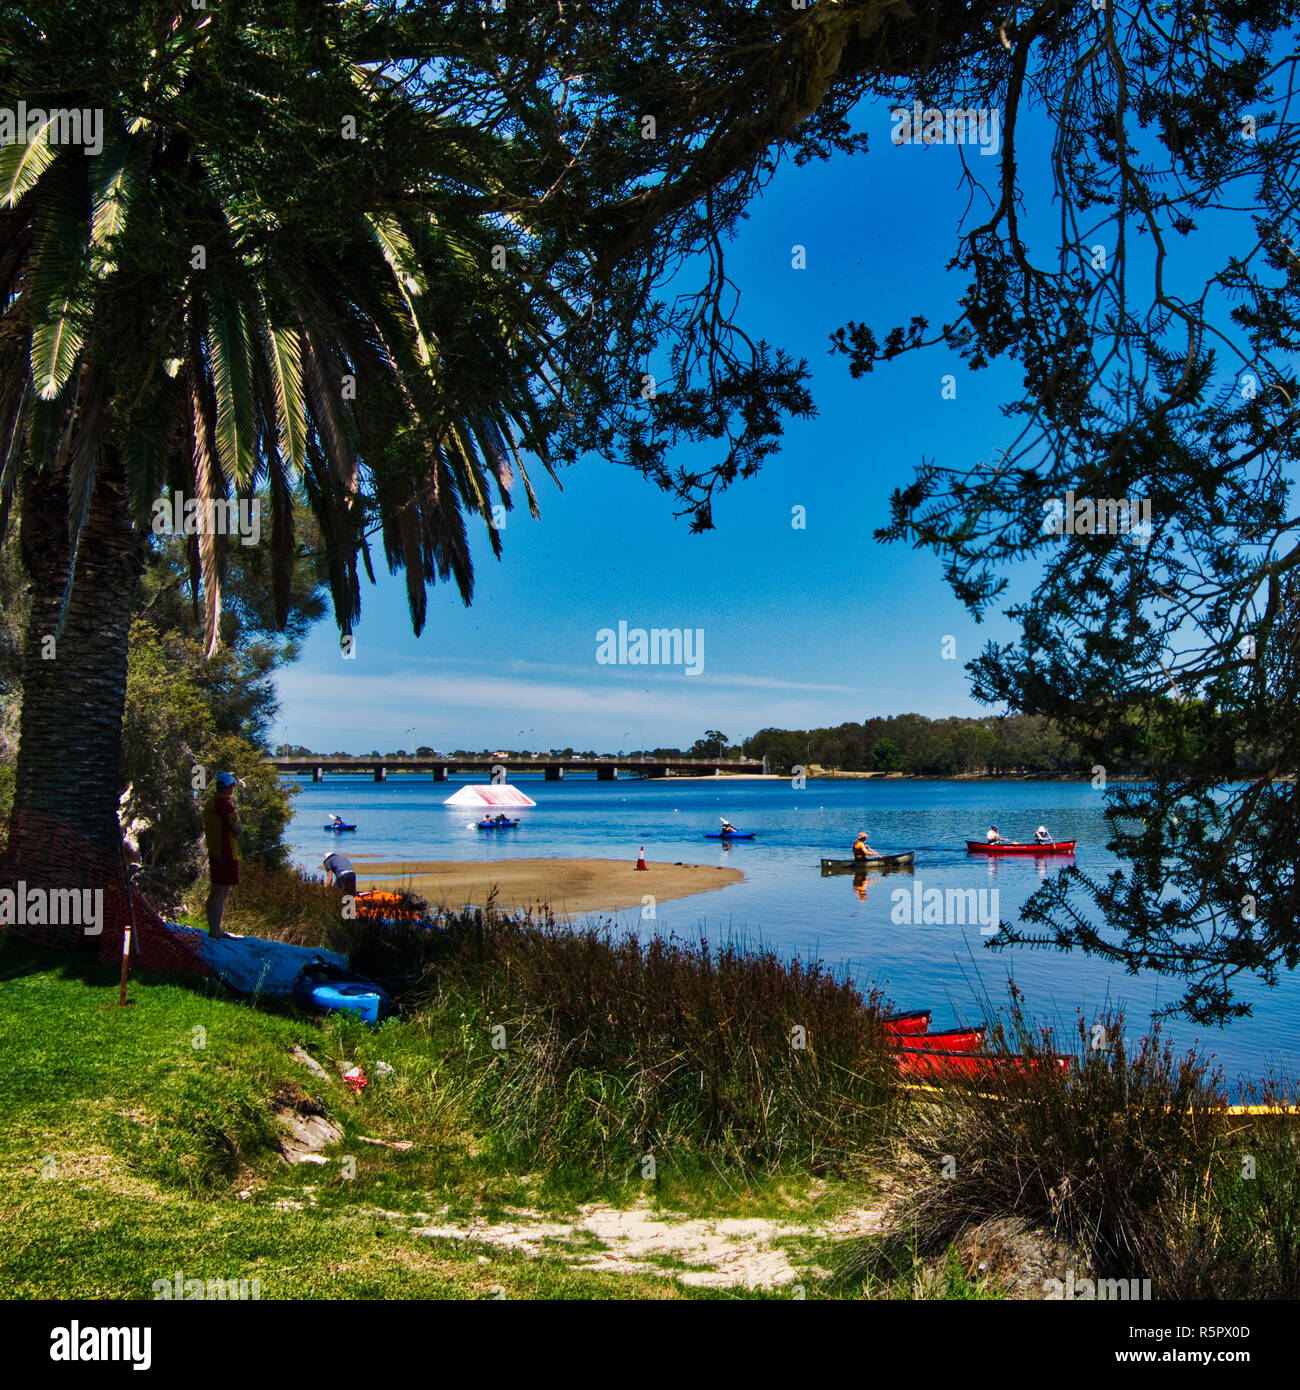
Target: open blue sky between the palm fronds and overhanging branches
{"x":802,"y":628}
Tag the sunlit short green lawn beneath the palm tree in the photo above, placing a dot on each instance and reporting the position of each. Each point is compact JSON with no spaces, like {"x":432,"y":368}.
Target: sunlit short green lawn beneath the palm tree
{"x":140,"y":1142}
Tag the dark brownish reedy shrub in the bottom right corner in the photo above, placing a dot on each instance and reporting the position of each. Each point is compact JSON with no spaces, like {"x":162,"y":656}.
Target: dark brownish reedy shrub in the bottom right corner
{"x":1130,"y":1159}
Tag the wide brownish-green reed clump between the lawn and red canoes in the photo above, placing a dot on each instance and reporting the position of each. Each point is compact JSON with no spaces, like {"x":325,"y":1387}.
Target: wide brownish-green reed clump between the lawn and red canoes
{"x":596,"y":1049}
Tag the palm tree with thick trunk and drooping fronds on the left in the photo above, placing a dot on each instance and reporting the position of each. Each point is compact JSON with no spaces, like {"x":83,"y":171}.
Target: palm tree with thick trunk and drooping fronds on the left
{"x":177,"y":319}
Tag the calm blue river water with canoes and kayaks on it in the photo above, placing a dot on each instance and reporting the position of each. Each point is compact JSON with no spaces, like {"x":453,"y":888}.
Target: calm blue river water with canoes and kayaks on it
{"x":786,"y":904}
